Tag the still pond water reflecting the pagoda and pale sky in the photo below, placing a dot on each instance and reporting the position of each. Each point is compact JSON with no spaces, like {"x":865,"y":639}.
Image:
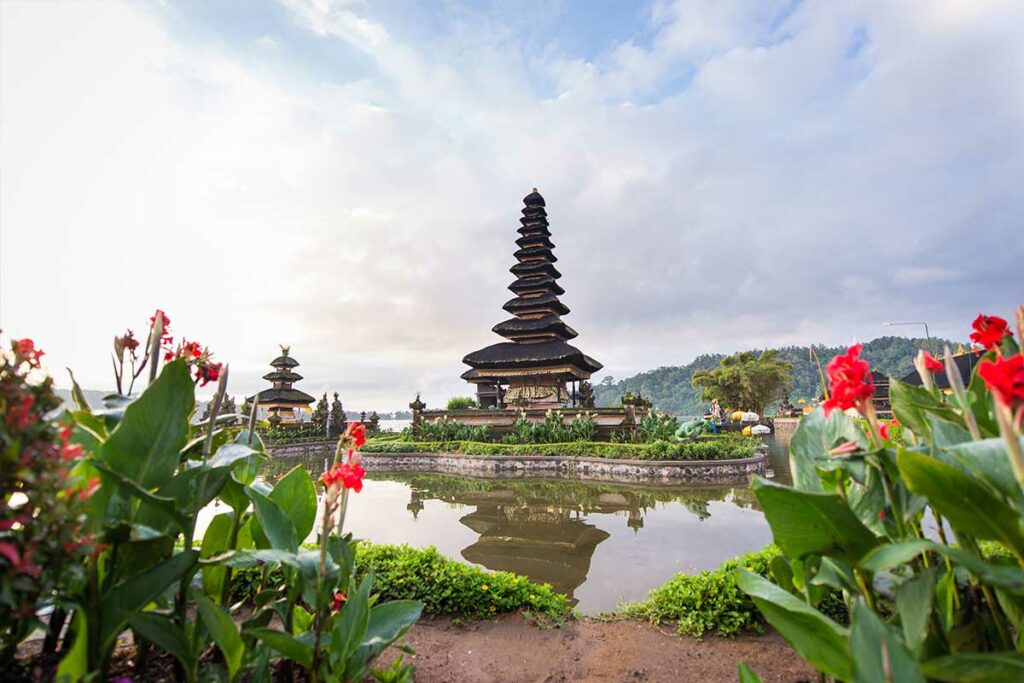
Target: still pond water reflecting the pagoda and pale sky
{"x":603,"y":544}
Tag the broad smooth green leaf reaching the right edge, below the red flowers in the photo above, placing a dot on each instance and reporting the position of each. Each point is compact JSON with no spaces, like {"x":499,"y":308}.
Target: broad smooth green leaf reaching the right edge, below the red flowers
{"x":970,"y":506}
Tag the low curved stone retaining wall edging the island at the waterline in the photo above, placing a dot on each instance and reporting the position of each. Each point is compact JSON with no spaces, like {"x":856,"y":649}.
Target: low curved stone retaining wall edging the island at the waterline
{"x":676,"y":472}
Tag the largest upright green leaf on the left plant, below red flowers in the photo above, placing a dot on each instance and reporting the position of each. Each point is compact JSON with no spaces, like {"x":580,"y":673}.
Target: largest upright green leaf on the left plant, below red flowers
{"x":146,"y":446}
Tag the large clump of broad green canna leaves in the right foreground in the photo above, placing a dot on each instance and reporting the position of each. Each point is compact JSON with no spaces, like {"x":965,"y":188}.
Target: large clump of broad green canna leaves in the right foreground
{"x":920,"y":609}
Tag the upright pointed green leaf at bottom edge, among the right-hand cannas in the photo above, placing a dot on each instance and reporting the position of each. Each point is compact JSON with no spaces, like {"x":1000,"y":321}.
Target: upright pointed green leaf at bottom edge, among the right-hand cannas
{"x":878,"y":654}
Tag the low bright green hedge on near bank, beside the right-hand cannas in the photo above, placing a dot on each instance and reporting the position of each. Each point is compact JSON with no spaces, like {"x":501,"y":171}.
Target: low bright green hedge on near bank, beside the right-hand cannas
{"x":711,"y":603}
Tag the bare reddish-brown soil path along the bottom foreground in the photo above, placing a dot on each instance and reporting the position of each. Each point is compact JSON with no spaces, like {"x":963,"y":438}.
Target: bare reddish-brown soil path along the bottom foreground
{"x":510,"y":650}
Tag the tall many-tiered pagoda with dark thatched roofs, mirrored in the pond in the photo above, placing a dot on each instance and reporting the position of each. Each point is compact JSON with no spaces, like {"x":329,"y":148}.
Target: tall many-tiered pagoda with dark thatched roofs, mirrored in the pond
{"x":532,"y":369}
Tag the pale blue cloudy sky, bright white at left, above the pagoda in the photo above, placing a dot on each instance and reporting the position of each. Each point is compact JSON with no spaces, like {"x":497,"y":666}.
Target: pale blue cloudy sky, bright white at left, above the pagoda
{"x":347,"y":178}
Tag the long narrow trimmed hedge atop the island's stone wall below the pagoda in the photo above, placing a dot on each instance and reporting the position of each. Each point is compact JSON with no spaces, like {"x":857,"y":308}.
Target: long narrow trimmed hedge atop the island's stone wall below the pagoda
{"x":713,"y":449}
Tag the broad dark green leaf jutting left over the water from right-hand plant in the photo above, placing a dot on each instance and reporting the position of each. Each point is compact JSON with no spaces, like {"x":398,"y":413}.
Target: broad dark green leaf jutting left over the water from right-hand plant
{"x":805,"y":523}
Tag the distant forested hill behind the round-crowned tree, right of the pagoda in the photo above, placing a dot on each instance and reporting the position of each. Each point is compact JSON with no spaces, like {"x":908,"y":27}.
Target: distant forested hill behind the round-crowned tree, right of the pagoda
{"x":670,"y":388}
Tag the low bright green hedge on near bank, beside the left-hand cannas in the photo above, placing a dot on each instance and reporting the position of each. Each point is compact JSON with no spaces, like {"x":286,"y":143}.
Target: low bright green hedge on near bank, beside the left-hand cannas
{"x":446,"y":587}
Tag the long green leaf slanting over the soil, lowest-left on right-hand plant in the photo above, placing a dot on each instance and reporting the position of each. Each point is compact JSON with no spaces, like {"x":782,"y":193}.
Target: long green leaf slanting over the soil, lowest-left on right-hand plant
{"x":818,"y":638}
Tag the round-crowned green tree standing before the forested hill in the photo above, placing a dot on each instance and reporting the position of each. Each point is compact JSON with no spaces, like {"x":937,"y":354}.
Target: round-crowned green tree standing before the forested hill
{"x":745,"y":381}
